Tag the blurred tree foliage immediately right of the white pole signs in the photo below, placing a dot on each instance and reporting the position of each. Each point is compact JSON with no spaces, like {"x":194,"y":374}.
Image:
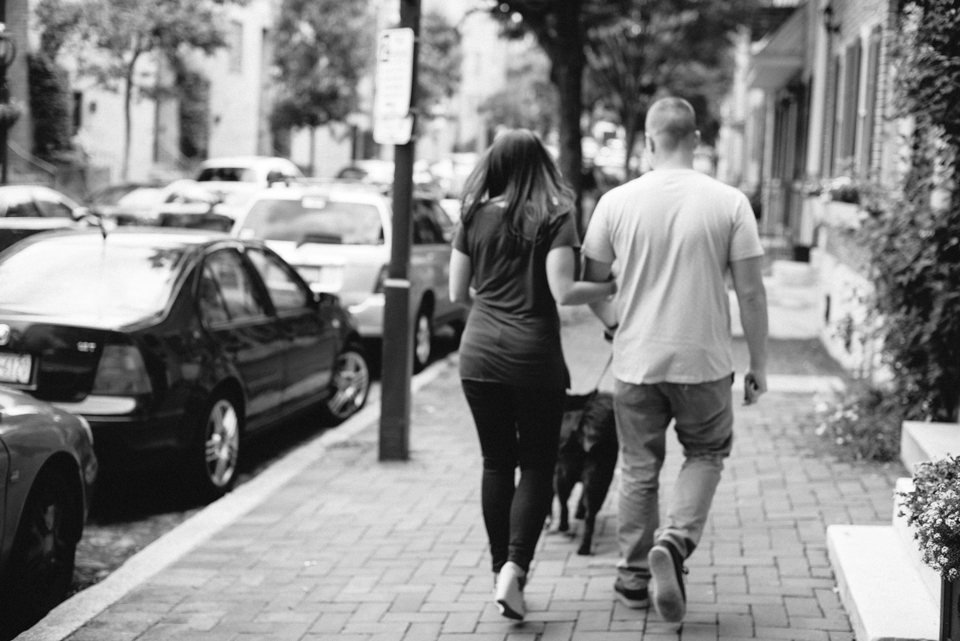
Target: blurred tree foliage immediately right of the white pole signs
{"x":438,"y":71}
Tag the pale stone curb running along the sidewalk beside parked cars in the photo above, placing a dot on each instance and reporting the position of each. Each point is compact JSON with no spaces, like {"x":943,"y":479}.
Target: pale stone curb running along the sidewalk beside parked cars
{"x":84,"y":606}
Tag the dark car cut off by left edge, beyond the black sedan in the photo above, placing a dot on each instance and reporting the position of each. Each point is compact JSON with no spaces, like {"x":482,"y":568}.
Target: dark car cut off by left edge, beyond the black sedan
{"x":29,"y":209}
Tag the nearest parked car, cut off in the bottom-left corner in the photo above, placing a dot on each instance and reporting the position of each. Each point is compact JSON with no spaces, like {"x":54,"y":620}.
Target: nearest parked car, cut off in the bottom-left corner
{"x":47,"y":471}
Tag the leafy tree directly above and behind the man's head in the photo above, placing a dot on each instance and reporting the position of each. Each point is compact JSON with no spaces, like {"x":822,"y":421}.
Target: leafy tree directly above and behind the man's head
{"x":679,"y":47}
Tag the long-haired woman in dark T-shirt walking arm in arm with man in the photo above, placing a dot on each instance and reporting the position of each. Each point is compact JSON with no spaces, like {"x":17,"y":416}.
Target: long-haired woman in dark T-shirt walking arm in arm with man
{"x":513,"y":261}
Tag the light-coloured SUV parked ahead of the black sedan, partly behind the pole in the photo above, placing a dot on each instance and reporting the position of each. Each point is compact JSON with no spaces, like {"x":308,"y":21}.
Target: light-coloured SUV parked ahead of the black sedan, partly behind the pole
{"x":338,"y":237}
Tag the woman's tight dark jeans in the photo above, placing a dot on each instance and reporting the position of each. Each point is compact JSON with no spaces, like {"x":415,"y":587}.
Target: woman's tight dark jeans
{"x":516,"y":426}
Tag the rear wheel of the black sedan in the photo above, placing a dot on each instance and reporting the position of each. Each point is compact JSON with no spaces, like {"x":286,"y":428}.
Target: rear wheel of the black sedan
{"x":216,"y":452}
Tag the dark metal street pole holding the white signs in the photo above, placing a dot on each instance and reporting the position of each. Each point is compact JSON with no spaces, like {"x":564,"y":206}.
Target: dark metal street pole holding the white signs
{"x":397,"y":336}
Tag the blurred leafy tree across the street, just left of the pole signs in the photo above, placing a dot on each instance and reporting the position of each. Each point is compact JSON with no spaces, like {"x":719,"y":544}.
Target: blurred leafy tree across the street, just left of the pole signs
{"x":322,"y":50}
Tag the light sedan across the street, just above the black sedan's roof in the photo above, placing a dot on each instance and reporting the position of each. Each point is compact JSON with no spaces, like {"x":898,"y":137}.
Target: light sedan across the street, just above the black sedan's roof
{"x":181,"y":203}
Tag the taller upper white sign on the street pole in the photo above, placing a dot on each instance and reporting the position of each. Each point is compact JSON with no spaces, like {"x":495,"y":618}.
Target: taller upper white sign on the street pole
{"x":394,"y":80}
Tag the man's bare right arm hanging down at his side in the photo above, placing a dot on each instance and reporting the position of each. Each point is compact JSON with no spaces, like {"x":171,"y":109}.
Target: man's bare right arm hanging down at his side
{"x":752,"y":298}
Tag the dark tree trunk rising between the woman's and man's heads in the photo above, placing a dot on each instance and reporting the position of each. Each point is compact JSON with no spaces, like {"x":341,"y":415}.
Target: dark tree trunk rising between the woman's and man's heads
{"x":560,"y":28}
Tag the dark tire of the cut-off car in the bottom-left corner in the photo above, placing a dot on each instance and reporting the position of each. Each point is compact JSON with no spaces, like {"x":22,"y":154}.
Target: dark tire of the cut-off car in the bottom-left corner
{"x":45,"y":547}
